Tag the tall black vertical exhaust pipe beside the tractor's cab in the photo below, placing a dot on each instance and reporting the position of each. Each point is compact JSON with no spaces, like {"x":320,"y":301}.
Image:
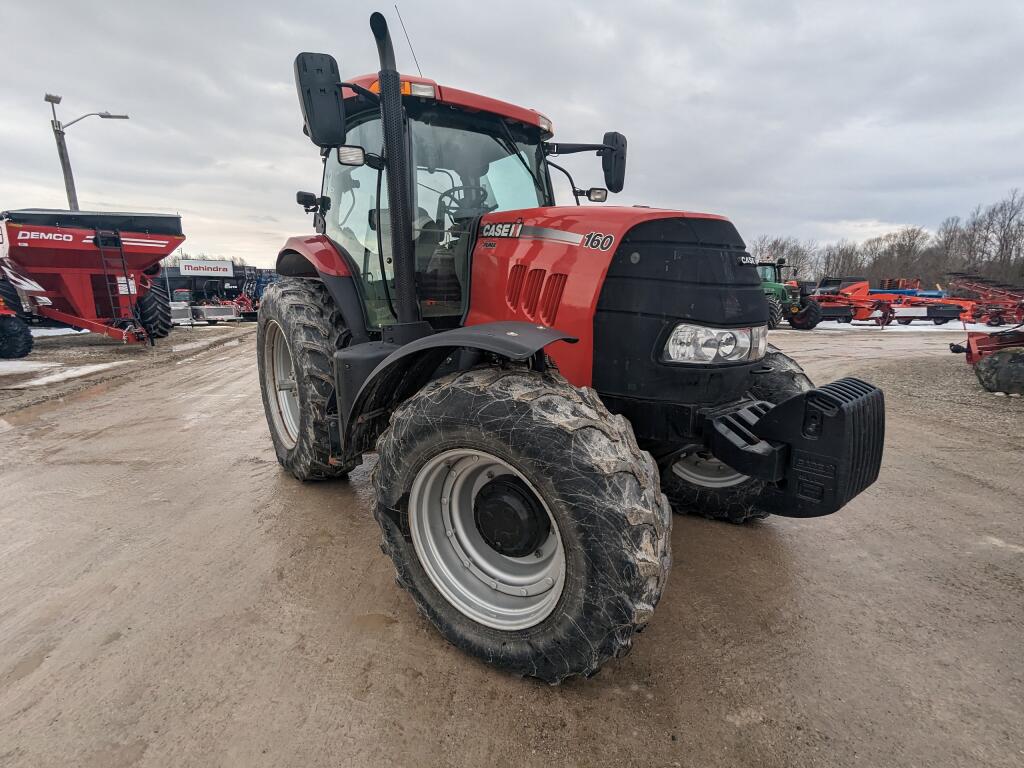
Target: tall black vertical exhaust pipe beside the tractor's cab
{"x":399,"y":176}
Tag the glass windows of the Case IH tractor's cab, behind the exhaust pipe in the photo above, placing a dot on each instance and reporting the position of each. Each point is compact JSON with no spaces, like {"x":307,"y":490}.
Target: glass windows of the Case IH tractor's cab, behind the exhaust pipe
{"x":467,"y":164}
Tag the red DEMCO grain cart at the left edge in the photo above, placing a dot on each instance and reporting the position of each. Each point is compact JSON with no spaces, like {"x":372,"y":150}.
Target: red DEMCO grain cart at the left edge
{"x":95,"y":272}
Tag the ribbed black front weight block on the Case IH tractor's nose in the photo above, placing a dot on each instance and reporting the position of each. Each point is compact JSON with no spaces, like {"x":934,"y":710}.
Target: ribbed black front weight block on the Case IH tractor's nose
{"x":817,"y":451}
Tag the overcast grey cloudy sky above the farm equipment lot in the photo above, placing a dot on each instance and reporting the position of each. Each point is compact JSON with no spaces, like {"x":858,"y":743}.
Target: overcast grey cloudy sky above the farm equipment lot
{"x":822,"y":120}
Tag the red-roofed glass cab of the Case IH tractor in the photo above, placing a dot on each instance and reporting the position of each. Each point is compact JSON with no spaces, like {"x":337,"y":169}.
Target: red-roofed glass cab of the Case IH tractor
{"x":471,"y":156}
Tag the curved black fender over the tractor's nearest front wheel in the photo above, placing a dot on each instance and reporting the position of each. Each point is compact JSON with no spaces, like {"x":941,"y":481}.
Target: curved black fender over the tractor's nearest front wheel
{"x":406,"y":370}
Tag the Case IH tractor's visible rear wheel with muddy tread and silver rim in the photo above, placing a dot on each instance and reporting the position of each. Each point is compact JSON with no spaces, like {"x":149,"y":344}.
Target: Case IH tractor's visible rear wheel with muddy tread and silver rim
{"x":300,"y":329}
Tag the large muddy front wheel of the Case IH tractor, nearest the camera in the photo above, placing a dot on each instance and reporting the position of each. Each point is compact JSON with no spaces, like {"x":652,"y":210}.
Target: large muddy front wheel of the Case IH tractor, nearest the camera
{"x":524,"y":520}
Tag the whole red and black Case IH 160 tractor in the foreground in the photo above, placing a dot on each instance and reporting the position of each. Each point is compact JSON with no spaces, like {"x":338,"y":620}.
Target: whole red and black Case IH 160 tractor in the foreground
{"x":532,"y":377}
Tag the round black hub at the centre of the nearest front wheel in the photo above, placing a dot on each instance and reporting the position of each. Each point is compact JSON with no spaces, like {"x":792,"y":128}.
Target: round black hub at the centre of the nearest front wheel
{"x":510,"y":518}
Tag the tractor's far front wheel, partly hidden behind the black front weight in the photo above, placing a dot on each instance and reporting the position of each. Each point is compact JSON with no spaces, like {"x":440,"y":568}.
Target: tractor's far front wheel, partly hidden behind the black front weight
{"x":699,"y":484}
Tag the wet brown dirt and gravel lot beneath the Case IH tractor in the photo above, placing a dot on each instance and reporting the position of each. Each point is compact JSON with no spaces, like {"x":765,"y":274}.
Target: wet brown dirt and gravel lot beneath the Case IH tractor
{"x":168,"y":598}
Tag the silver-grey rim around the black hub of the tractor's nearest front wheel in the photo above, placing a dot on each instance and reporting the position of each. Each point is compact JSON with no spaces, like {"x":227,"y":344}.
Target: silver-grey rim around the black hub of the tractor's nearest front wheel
{"x":493,"y":589}
